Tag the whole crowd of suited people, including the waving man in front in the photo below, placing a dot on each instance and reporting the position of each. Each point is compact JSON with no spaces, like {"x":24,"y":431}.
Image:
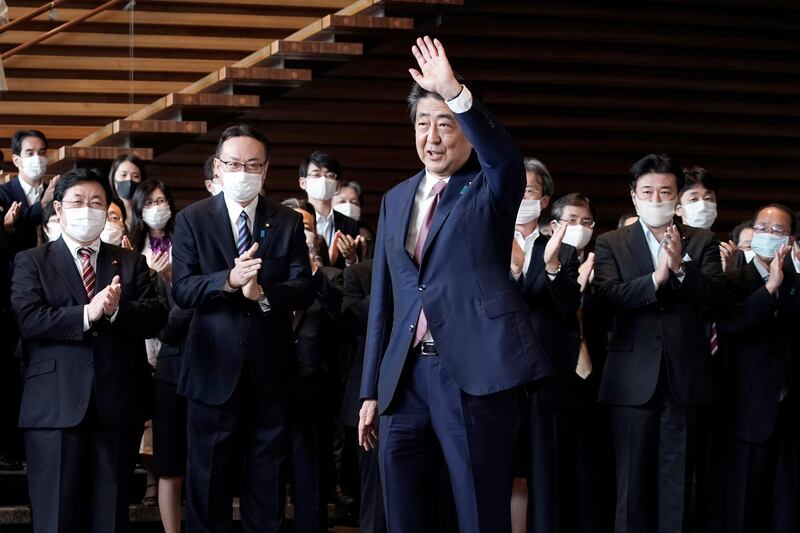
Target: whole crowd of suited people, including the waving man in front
{"x":483,"y":362}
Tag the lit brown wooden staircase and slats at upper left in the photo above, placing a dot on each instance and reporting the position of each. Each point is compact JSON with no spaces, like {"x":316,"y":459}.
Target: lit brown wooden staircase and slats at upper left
{"x":94,"y":100}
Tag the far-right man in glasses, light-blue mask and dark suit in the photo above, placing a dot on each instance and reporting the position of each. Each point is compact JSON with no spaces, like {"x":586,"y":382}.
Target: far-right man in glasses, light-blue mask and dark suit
{"x":759,"y":411}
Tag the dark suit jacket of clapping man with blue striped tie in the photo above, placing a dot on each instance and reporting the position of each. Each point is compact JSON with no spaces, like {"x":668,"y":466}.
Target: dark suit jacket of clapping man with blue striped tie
{"x":227,"y":327}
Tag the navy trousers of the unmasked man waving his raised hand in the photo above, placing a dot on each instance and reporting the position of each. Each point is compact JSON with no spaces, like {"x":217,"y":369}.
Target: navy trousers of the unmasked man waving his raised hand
{"x":433,"y":420}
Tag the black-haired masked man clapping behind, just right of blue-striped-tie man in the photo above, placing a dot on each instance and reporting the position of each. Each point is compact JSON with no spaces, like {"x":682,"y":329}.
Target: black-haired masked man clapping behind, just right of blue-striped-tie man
{"x":319,"y":177}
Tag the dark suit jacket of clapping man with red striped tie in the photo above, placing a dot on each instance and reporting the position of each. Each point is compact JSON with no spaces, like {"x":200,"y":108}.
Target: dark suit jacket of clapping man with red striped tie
{"x":64,"y":365}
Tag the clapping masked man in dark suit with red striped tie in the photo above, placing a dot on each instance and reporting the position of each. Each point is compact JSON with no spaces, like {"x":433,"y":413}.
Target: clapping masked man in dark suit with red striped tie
{"x":84,"y":309}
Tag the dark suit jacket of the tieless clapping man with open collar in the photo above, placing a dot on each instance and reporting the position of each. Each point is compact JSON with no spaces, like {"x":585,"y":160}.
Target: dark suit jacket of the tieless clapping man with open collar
{"x":649,"y":324}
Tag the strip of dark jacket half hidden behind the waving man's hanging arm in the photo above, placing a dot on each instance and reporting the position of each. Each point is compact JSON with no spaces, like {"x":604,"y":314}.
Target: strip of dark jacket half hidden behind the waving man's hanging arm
{"x":355,"y":311}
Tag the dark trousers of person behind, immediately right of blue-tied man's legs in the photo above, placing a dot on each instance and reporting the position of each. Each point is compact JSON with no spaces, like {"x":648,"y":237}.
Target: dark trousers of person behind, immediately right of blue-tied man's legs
{"x":305,"y":453}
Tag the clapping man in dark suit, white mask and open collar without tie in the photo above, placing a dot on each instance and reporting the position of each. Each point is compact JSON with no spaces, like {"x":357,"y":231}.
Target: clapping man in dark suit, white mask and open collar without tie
{"x":659,"y":282}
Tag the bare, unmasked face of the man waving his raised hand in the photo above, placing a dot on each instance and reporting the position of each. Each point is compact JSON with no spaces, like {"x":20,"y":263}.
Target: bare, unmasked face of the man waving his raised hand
{"x":441,"y":144}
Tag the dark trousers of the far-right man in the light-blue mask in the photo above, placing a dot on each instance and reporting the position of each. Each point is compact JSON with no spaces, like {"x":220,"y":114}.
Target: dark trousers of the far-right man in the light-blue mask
{"x":761,"y":485}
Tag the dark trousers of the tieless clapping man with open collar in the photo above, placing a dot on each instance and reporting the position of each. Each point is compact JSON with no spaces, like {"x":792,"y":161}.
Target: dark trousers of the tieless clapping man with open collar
{"x":654,"y":445}
